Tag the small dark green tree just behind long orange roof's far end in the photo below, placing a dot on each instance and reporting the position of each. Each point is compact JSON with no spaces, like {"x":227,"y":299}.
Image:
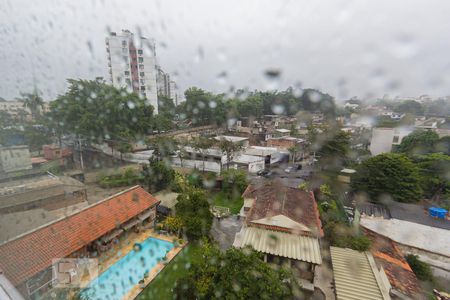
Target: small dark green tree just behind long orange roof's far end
{"x":158,"y":175}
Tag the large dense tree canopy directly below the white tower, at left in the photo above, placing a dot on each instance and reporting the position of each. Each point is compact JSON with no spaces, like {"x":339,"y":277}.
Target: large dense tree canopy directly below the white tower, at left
{"x":99,"y":111}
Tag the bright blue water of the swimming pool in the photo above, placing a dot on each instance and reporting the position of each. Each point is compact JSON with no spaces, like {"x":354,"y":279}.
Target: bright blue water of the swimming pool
{"x":118,"y":279}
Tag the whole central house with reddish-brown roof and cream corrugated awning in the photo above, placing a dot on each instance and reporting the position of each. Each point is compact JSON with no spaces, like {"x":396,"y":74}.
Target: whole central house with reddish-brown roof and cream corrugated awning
{"x":283,"y":223}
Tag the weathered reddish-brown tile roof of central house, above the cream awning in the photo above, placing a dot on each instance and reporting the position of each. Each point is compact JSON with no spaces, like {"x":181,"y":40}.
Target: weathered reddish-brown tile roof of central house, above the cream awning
{"x":273,"y":198}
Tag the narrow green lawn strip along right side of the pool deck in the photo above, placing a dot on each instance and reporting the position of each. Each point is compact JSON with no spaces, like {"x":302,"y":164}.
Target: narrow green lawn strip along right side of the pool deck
{"x":161,"y":286}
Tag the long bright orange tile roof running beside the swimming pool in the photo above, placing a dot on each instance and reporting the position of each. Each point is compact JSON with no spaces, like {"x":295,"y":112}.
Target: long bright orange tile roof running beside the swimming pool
{"x":31,"y":253}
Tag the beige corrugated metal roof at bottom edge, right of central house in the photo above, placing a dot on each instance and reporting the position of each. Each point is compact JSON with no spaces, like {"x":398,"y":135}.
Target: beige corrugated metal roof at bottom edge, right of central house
{"x":354,"y":275}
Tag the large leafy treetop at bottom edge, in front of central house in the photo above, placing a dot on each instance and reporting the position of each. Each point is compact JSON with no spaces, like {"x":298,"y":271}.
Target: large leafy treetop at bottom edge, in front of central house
{"x":235,"y":274}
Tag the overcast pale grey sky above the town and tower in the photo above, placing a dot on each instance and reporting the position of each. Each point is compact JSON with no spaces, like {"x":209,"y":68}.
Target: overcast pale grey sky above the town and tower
{"x":345,"y":48}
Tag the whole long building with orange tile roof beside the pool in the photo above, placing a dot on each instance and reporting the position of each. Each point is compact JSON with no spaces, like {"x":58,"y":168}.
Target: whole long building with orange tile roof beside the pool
{"x":27,"y":259}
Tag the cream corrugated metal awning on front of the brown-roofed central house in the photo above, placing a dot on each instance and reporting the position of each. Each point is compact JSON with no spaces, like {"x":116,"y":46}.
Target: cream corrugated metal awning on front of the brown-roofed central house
{"x":283,"y":244}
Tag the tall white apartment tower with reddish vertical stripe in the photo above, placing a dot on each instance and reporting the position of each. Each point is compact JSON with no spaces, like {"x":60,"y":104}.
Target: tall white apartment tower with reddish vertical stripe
{"x":131,"y":66}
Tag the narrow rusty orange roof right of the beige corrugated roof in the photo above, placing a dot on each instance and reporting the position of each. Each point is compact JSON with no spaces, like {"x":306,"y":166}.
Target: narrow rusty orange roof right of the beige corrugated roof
{"x":398,"y":271}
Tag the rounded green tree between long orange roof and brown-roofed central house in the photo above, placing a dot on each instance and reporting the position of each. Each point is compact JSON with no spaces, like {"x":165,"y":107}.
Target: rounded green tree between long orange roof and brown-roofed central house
{"x":193,"y":209}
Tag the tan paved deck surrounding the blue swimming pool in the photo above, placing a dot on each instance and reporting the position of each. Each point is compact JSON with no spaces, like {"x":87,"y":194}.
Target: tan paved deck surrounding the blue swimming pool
{"x":124,"y":247}
